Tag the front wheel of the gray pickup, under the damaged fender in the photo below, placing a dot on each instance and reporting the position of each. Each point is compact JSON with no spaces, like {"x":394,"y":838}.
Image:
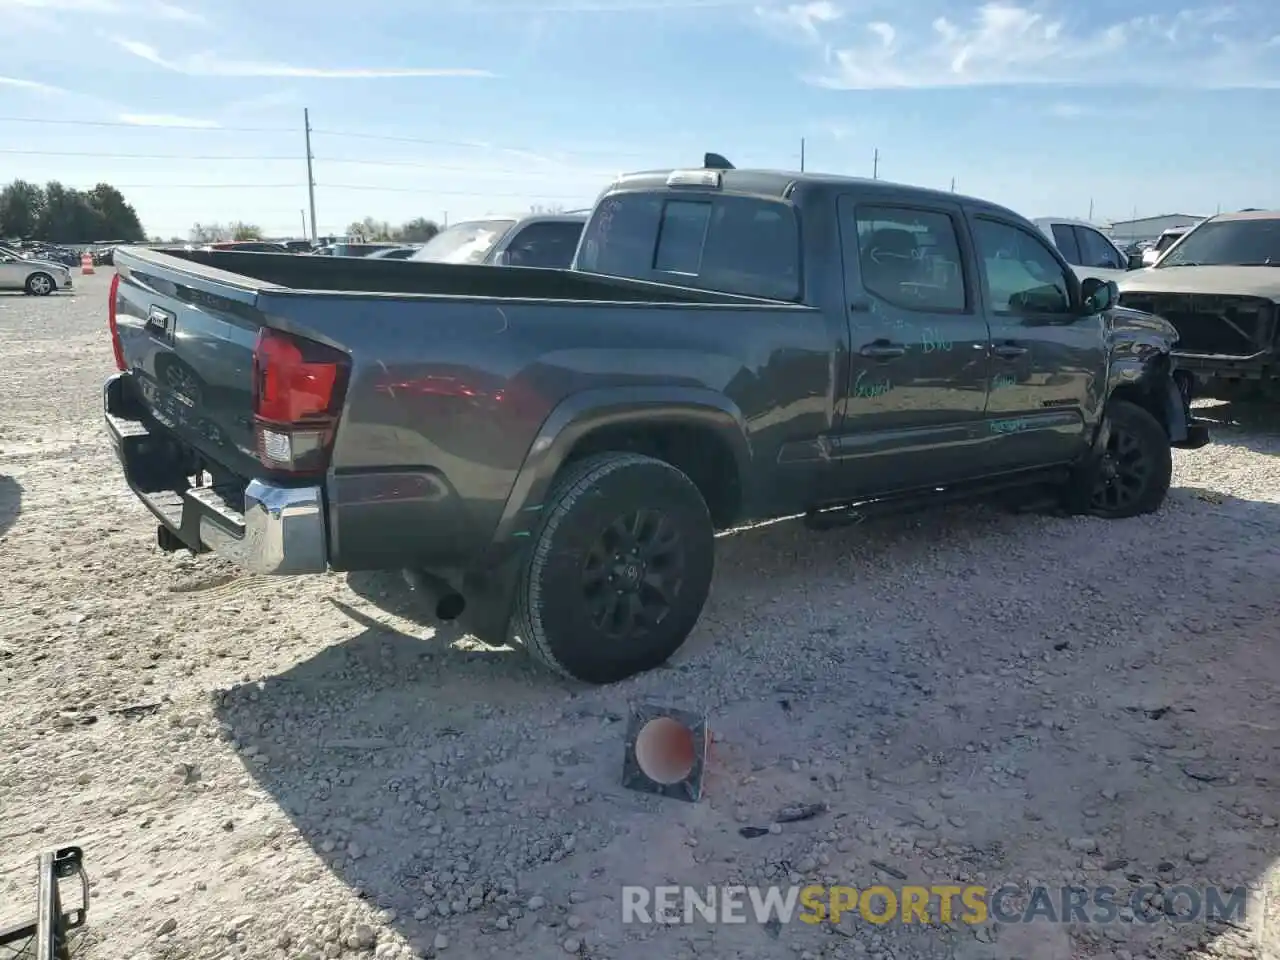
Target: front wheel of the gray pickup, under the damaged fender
{"x":1135,"y":473}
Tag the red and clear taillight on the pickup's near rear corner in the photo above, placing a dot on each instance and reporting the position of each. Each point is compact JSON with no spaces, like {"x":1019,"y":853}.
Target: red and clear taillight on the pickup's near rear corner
{"x":299,"y":388}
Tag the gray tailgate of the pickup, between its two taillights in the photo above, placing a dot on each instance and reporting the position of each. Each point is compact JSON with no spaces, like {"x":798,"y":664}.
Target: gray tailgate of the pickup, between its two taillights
{"x":188,"y":340}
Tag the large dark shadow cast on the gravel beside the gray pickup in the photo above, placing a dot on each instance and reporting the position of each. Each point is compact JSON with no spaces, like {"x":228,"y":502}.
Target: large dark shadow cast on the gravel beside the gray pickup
{"x":1119,"y":728}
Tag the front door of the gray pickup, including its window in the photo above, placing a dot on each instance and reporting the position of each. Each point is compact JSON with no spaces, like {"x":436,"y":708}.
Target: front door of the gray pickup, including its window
{"x":1049,"y":362}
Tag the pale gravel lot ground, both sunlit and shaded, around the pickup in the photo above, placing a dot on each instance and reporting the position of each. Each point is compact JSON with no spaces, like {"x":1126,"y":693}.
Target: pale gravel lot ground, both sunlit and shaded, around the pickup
{"x":300,"y":769}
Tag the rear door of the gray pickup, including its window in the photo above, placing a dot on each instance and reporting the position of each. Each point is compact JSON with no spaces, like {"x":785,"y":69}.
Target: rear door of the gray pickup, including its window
{"x":917,"y":391}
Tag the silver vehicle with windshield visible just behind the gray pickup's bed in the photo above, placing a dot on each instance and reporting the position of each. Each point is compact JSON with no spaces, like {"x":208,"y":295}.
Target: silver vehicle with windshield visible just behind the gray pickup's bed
{"x":536,"y":240}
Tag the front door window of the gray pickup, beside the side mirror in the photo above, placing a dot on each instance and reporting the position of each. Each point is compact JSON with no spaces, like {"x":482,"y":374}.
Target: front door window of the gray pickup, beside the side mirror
{"x":1023,"y":276}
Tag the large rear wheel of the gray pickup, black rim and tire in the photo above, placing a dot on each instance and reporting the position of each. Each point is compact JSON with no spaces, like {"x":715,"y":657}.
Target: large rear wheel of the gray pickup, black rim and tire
{"x":620,"y":569}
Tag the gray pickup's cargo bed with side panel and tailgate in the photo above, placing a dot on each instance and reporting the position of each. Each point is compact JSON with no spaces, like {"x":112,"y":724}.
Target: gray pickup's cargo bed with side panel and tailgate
{"x":454,"y":372}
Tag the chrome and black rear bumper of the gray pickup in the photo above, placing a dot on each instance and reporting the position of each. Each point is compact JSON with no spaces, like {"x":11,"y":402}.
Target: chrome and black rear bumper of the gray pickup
{"x":267,"y":529}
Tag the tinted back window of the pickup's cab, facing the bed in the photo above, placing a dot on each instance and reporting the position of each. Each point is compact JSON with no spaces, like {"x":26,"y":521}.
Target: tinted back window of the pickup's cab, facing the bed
{"x":735,"y":245}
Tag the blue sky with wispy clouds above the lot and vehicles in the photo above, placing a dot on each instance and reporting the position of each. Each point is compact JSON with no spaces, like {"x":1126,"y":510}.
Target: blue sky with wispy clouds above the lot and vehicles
{"x":463,"y":108}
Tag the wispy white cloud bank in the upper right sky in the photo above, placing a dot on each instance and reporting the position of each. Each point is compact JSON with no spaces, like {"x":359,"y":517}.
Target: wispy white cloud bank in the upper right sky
{"x":1013,"y":43}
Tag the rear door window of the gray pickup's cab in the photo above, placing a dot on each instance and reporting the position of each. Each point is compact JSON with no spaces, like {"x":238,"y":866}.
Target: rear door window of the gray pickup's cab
{"x":911,"y":258}
